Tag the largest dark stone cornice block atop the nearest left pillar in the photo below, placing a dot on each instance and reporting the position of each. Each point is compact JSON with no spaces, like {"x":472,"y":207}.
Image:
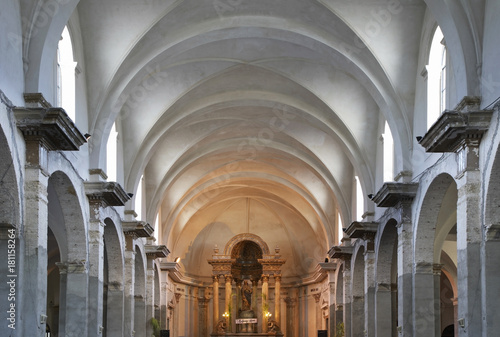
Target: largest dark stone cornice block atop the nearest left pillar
{"x":49,"y":126}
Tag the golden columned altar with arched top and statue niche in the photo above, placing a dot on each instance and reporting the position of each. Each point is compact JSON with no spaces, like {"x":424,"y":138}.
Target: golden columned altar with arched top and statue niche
{"x":246,"y":262}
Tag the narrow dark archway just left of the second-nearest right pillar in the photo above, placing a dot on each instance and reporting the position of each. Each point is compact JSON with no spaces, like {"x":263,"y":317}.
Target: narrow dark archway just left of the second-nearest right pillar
{"x":386,"y":280}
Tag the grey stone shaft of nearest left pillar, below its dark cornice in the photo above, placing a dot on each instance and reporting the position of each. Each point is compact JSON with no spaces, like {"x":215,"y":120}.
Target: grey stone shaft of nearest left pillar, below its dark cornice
{"x":34,"y":268}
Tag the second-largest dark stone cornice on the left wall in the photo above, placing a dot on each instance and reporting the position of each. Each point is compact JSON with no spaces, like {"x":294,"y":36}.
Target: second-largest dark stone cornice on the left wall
{"x":106,"y":193}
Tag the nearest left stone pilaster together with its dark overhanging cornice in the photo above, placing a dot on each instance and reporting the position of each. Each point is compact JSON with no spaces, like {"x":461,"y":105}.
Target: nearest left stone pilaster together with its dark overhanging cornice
{"x":44,"y":129}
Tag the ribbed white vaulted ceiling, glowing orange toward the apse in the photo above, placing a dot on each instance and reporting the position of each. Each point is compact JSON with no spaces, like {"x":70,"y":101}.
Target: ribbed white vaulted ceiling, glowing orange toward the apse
{"x":249,"y":116}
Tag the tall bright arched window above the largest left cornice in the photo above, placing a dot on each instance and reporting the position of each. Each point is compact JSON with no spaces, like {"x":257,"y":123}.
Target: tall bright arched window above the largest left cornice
{"x":65,"y":82}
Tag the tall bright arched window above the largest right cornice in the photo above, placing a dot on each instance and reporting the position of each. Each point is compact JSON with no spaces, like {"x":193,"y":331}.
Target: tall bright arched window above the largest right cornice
{"x":436,"y":78}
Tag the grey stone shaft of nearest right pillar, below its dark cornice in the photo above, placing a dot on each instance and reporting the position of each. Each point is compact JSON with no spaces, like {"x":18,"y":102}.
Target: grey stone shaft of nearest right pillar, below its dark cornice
{"x":469,"y":237}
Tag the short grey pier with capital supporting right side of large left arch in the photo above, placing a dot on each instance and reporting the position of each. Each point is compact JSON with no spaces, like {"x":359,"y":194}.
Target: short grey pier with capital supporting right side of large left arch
{"x":74,"y":281}
